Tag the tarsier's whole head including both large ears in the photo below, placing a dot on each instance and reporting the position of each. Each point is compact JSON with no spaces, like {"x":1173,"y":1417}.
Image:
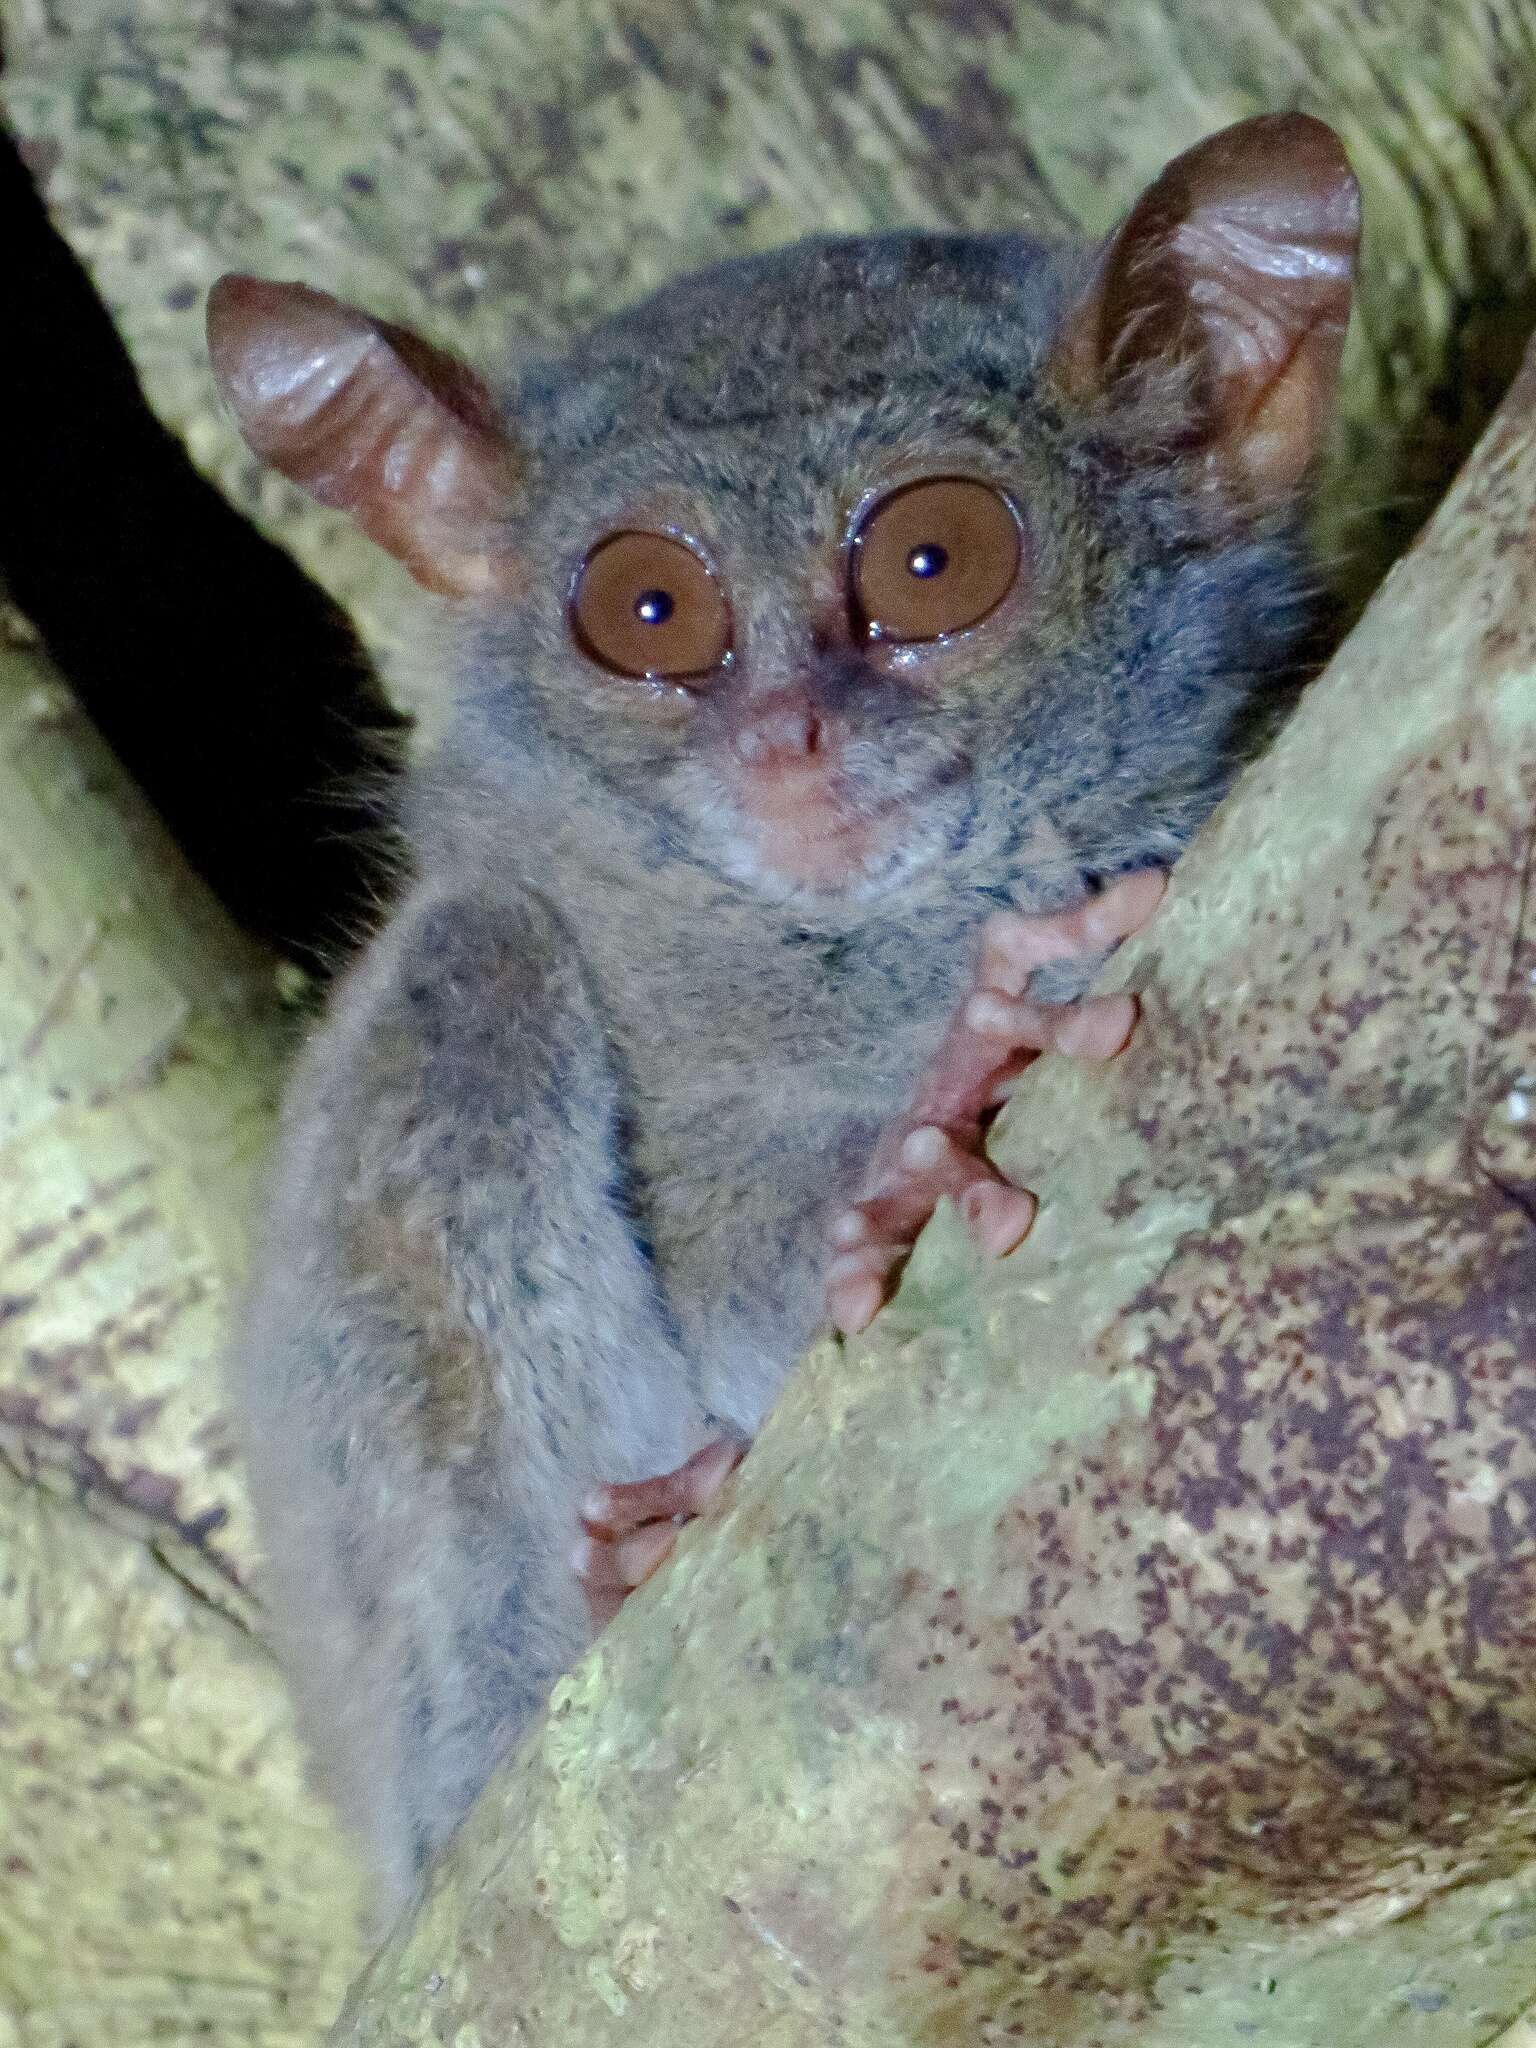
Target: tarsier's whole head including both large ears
{"x":873,"y":554}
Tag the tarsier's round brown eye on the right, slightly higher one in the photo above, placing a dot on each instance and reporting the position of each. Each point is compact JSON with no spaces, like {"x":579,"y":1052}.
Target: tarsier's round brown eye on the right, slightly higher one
{"x":935,"y":558}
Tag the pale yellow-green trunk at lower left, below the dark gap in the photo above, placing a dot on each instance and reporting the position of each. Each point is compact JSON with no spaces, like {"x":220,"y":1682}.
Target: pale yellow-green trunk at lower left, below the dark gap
{"x":163,"y":1875}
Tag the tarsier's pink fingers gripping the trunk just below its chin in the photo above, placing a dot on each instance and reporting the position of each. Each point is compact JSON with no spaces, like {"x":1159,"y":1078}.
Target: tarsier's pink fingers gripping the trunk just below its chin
{"x":937,"y":1148}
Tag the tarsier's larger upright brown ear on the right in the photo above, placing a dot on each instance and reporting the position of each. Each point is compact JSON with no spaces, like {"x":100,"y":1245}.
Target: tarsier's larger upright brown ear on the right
{"x":1238,"y":263}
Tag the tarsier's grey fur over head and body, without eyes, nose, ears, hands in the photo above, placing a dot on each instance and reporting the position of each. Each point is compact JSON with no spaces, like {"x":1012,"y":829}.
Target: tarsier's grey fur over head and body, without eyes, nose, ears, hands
{"x":558,"y":1166}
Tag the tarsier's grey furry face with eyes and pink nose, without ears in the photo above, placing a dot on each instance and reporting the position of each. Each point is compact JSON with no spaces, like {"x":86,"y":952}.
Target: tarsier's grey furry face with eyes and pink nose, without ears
{"x":792,"y":603}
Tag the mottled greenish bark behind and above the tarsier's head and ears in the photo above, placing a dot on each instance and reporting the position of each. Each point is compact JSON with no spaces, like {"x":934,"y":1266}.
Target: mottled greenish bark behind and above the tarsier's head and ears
{"x":501,"y":173}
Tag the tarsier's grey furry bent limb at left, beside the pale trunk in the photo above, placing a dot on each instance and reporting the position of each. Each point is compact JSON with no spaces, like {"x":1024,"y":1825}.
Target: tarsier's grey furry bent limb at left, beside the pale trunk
{"x":456,"y":1338}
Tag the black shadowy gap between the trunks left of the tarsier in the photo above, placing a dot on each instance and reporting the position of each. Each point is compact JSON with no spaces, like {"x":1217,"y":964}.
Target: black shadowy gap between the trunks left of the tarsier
{"x":230,"y":687}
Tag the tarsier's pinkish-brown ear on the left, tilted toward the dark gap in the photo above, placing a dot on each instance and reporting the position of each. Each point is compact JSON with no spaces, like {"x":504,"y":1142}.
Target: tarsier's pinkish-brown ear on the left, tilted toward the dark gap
{"x":372,"y":421}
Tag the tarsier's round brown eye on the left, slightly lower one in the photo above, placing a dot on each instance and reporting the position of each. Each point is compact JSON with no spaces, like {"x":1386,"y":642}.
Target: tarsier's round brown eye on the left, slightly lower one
{"x":646,"y":605}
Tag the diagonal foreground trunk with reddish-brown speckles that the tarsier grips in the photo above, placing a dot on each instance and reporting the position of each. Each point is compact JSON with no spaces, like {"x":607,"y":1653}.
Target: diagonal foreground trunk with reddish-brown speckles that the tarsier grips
{"x":1134,"y":1641}
